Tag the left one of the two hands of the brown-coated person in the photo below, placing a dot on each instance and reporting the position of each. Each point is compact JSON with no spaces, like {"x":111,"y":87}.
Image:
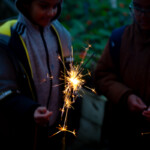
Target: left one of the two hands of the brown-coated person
{"x":135,"y":104}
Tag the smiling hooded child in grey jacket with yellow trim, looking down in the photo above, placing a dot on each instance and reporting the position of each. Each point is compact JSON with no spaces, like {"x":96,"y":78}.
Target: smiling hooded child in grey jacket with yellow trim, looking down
{"x":29,"y":72}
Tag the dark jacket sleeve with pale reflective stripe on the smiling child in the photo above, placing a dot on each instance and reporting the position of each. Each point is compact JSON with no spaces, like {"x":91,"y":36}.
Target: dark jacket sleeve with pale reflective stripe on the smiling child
{"x":11,"y":99}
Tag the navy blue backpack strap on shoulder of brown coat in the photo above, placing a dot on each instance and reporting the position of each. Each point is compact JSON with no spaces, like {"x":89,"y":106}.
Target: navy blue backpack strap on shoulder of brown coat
{"x":115,"y":43}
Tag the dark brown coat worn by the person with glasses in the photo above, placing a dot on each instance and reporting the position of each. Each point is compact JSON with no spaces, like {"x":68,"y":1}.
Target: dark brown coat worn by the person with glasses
{"x":132,"y":77}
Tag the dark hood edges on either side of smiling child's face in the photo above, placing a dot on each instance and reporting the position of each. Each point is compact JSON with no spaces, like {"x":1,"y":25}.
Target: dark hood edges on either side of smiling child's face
{"x":19,"y":2}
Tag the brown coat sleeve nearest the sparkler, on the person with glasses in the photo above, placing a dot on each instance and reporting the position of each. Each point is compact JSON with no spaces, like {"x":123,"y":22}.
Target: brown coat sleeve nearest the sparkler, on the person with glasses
{"x":107,"y":81}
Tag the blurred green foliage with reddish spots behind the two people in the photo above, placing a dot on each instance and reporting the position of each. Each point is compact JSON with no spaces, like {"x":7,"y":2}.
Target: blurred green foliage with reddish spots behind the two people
{"x":91,"y":22}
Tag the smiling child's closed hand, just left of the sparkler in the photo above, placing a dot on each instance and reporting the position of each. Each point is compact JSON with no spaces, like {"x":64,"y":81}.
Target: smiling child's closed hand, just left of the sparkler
{"x":41,"y":116}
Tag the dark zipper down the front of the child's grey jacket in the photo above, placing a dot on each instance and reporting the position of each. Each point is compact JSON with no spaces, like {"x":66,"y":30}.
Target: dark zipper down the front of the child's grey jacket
{"x":48,"y":65}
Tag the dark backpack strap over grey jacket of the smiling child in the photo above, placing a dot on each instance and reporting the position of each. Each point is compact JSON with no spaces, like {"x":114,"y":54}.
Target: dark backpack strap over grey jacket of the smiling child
{"x":25,"y":73}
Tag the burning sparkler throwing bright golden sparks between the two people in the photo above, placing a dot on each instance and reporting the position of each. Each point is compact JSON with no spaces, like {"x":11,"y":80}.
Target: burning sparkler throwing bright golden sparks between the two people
{"x":74,"y":82}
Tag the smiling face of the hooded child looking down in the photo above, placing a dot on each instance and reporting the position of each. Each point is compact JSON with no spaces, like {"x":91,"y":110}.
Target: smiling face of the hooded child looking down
{"x":41,"y":12}
